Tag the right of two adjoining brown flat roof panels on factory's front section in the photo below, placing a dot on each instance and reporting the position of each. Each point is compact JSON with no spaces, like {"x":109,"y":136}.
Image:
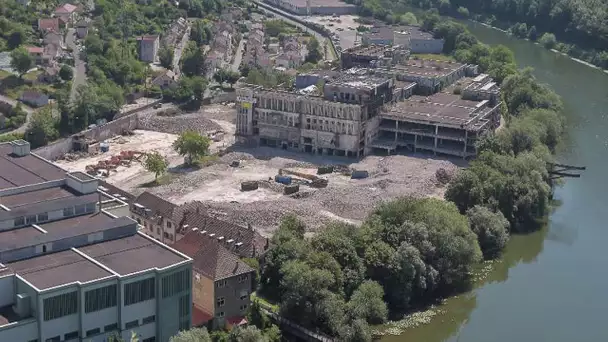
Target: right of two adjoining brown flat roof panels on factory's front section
{"x":132,"y":254}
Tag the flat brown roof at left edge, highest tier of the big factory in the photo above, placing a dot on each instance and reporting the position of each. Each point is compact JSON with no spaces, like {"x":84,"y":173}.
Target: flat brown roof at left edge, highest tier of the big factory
{"x":29,"y":169}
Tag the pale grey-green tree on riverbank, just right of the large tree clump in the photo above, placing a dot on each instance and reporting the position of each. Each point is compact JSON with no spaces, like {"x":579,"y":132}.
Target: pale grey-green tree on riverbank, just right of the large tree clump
{"x":492,"y":230}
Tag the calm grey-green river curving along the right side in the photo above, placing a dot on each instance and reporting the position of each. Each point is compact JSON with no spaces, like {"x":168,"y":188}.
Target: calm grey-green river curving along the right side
{"x":550,"y":285}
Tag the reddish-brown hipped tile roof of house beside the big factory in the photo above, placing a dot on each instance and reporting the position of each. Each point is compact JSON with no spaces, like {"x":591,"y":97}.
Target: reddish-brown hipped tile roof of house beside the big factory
{"x":210,"y":257}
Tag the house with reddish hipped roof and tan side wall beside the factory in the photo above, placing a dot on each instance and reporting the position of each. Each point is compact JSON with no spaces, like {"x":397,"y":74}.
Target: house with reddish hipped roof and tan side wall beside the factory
{"x":221,"y":284}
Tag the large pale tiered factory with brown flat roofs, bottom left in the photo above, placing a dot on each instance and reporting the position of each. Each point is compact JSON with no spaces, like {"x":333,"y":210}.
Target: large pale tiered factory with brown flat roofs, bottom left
{"x":73,"y":266}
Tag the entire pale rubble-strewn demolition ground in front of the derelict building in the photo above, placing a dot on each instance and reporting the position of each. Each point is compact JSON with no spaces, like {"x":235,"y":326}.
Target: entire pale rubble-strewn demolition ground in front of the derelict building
{"x":217,"y":184}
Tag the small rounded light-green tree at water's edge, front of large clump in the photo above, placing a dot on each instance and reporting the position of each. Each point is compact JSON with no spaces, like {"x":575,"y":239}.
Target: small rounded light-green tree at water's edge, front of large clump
{"x":367,"y":302}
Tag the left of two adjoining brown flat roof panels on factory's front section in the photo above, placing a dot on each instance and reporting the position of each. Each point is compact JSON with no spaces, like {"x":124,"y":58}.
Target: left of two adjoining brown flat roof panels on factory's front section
{"x":59,"y":268}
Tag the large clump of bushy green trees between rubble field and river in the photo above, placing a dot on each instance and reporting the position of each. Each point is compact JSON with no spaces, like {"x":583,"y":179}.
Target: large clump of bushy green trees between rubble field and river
{"x":407,"y":252}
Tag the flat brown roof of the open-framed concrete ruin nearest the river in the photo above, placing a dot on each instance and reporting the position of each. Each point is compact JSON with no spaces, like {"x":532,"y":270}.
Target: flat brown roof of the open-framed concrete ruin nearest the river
{"x":441,"y":107}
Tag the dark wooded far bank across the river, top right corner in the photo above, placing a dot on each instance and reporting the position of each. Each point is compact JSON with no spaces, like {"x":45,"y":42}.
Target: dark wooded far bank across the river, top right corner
{"x":581,"y":24}
